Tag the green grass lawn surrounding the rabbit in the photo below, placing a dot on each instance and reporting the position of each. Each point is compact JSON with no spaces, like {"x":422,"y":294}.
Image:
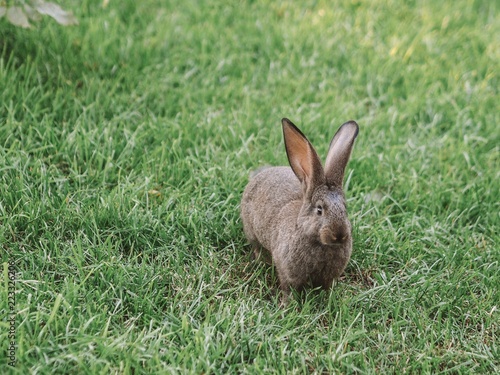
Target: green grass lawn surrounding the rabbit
{"x":125,"y":145}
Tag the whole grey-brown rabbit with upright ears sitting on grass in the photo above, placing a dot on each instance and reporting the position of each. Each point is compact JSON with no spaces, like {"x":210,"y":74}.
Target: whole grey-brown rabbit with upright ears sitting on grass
{"x":298,"y":213}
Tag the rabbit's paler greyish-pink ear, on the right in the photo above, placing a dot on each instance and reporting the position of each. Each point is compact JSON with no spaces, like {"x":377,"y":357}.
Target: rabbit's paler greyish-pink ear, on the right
{"x":339,"y":153}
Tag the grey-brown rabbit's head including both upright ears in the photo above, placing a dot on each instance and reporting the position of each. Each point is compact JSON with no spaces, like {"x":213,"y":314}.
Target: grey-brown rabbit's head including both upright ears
{"x":323,"y":216}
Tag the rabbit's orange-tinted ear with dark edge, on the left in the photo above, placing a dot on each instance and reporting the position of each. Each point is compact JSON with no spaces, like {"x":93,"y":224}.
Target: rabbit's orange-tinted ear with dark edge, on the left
{"x":302,"y":157}
